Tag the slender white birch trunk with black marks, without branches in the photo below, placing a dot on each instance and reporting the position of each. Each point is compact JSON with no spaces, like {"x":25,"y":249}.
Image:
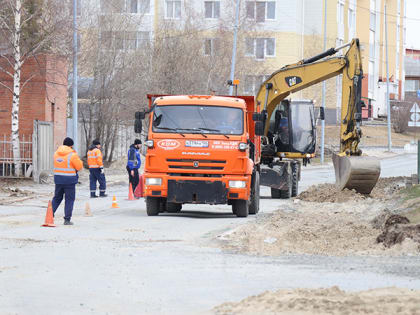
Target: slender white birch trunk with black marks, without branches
{"x":16,"y":88}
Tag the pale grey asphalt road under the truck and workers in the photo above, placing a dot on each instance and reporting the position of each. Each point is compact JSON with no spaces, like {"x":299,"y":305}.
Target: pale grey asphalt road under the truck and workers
{"x":119,"y":261}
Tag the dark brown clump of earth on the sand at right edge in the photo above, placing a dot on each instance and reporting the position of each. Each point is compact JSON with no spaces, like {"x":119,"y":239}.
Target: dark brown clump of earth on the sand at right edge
{"x":396,"y":229}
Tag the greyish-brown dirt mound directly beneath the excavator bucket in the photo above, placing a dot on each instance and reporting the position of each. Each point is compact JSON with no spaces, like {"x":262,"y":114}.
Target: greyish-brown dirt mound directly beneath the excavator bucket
{"x":384,"y":190}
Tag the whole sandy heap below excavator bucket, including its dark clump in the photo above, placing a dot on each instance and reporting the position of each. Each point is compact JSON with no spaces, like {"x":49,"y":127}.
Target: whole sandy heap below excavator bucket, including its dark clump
{"x":349,"y":224}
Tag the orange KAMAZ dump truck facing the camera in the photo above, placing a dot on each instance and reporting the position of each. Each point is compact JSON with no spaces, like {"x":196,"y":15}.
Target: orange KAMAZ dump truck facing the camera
{"x":201,"y":150}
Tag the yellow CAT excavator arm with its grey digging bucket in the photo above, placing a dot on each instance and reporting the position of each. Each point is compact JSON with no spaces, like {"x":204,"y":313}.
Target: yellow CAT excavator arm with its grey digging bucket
{"x":352,"y":171}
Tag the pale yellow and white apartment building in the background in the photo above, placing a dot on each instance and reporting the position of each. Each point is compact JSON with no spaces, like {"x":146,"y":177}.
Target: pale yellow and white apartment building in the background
{"x":279,"y":32}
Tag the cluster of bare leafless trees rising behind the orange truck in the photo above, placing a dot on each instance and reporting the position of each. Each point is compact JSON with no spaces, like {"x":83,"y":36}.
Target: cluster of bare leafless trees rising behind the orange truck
{"x":184,"y":57}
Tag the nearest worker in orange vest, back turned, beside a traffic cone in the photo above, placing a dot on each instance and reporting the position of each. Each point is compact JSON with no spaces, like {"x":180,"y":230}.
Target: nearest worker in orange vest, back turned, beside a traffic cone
{"x":66,"y":165}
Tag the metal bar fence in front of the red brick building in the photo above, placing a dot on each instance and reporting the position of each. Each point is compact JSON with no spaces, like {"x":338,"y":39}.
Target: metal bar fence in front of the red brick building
{"x":7,"y":165}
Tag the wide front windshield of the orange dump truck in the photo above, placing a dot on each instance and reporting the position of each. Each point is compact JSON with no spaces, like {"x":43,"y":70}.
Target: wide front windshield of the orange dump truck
{"x":198,"y":119}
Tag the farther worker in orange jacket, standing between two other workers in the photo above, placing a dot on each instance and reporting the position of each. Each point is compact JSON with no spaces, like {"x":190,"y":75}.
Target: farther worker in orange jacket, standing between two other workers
{"x":96,"y":170}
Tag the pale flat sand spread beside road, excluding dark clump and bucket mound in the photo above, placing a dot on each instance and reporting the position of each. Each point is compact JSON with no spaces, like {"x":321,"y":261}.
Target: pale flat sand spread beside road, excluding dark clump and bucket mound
{"x":308,"y":228}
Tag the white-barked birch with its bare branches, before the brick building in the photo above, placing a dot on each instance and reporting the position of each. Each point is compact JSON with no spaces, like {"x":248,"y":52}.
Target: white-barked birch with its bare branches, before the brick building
{"x":28,"y":27}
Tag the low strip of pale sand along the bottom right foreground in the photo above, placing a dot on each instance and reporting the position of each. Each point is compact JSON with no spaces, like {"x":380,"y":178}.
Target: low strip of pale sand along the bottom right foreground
{"x":327,"y":301}
